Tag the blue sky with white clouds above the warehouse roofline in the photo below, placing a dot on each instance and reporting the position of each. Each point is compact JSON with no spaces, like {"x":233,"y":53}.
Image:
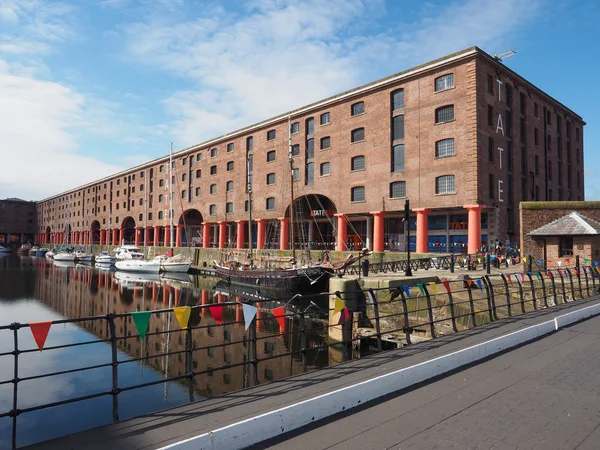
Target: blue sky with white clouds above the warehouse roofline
{"x":91,"y":87}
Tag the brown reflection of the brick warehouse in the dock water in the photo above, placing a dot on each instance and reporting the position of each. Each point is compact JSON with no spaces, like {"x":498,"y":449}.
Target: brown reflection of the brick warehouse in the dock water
{"x":82,"y":292}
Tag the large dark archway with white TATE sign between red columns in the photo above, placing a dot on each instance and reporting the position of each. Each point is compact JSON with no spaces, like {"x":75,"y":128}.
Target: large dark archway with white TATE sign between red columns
{"x":314,"y":222}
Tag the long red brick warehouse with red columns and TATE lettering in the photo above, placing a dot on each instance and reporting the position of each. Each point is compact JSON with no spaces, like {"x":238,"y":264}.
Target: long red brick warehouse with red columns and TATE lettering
{"x":463,"y":137}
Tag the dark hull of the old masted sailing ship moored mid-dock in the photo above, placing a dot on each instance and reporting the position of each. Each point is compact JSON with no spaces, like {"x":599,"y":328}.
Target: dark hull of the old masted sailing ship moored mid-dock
{"x":303,"y":280}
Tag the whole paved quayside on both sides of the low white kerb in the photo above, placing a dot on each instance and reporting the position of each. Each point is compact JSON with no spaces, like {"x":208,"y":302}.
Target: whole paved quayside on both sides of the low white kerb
{"x":545,"y":390}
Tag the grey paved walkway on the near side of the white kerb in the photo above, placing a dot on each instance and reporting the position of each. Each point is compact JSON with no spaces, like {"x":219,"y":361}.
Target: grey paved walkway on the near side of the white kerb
{"x":544,"y":395}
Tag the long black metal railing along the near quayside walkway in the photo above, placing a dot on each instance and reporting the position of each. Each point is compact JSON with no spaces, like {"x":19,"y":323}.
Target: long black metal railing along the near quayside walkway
{"x":425,"y":311}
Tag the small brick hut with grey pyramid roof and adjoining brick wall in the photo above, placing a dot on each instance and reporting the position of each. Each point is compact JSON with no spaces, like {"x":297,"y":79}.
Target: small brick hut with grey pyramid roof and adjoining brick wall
{"x":558,"y":232}
